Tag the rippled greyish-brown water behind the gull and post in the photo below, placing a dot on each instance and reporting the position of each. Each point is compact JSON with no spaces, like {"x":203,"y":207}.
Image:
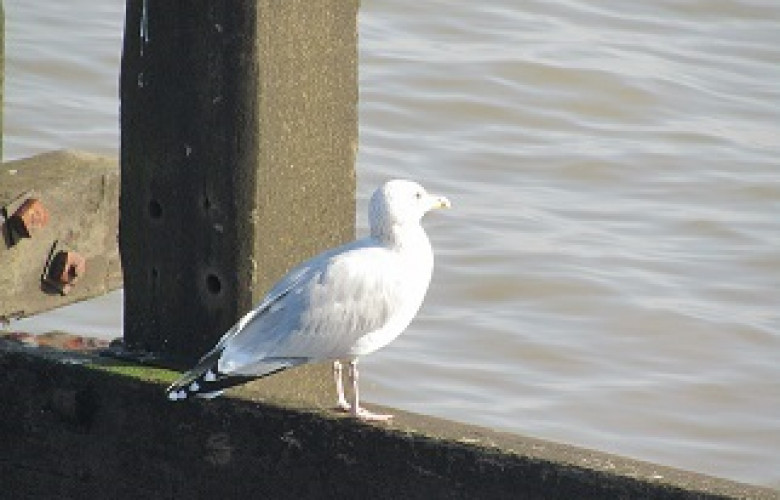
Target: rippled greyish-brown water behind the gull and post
{"x":610,"y":273}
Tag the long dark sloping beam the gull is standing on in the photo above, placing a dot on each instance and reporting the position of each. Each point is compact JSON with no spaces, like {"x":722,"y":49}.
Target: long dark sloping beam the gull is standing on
{"x":78,"y":426}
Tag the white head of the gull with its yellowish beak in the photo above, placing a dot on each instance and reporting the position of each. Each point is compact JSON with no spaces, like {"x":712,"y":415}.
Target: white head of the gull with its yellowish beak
{"x":401,"y":202}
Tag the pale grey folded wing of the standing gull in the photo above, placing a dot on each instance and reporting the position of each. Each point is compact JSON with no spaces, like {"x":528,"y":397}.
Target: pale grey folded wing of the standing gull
{"x":336,"y":300}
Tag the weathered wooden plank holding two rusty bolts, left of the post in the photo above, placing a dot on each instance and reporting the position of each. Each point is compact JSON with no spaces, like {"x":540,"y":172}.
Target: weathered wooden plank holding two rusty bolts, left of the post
{"x":80,"y":192}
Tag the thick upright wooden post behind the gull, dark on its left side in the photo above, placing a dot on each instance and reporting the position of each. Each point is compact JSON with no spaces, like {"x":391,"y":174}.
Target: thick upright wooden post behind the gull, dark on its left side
{"x":239,"y":133}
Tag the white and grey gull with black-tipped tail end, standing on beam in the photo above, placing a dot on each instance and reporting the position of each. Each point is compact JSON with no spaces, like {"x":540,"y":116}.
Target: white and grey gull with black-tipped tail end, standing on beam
{"x":342,"y":304}
